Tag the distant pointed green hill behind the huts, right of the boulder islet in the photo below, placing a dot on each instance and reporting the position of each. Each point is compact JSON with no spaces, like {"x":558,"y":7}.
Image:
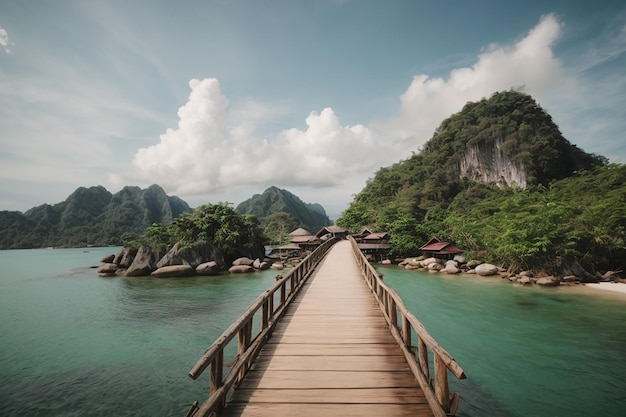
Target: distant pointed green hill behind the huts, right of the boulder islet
{"x":280,"y":212}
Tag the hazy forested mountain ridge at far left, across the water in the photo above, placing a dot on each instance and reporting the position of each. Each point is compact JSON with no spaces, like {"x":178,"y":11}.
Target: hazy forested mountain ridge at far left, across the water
{"x":89,"y":216}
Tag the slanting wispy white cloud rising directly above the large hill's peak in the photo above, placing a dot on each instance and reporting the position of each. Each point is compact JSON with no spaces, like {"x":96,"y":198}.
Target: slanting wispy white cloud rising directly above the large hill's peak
{"x":530,"y":62}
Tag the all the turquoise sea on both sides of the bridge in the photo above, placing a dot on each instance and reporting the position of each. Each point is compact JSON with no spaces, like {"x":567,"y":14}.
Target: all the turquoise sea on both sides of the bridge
{"x":73,"y":343}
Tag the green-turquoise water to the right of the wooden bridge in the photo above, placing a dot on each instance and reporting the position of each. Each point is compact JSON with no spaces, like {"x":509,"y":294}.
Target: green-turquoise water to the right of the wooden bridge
{"x":527,"y":351}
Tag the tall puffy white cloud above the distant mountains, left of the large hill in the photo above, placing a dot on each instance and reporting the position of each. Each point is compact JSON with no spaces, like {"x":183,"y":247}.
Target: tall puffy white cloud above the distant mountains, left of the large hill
{"x":214,"y":146}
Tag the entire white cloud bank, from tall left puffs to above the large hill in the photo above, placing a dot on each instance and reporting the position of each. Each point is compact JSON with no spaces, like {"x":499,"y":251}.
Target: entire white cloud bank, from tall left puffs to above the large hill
{"x":215,"y":145}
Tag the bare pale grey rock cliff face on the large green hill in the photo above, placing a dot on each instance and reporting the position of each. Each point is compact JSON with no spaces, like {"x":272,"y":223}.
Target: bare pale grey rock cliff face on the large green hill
{"x":488,"y":163}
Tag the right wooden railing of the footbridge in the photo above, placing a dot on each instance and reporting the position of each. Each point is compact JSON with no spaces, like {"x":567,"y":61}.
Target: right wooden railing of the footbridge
{"x":402,"y":324}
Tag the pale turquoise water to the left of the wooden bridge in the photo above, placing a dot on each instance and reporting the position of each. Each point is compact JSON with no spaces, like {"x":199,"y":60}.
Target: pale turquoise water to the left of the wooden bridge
{"x":75,"y":344}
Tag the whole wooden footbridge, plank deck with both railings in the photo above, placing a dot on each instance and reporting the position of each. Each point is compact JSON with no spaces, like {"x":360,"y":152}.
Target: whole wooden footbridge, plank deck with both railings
{"x":333,"y":339}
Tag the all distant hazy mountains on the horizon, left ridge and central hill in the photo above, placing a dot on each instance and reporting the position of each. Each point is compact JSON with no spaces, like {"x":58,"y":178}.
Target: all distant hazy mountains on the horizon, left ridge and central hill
{"x":95,"y":217}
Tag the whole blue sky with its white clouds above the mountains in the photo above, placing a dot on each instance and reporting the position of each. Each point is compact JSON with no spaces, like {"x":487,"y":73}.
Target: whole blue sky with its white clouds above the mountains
{"x":216,"y":100}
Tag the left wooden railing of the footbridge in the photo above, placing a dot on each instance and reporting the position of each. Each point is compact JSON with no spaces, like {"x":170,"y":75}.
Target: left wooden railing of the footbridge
{"x":267,"y":309}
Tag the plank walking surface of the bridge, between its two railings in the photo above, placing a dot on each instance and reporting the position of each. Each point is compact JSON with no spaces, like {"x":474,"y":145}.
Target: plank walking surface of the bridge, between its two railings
{"x":331,"y":355}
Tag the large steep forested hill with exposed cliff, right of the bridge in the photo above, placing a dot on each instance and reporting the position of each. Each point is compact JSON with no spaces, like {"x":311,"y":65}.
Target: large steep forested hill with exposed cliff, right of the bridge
{"x":501,"y":181}
